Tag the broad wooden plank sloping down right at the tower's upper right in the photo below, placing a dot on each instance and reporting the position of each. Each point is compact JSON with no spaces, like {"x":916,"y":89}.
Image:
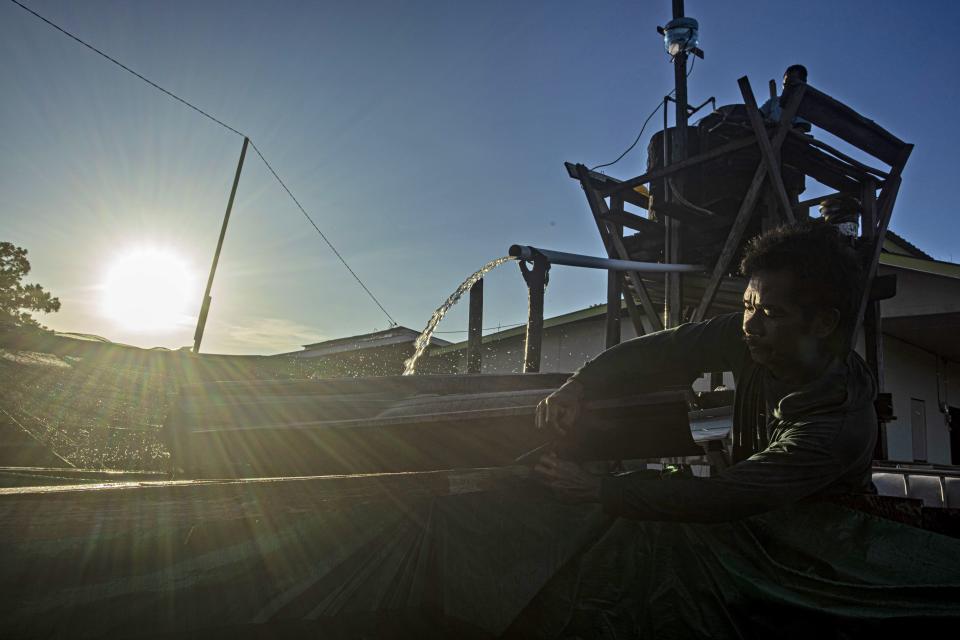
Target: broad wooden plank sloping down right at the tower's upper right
{"x":848,"y":125}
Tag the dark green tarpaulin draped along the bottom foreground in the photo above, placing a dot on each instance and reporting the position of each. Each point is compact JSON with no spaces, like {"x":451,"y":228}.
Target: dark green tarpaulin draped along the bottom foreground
{"x":508,"y":562}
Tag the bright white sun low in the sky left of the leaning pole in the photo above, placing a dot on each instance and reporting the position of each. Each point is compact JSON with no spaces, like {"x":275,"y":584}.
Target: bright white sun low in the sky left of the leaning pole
{"x":148,"y":290}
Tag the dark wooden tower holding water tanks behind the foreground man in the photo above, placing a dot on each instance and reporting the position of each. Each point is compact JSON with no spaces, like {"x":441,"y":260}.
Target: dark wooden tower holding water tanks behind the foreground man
{"x":712,"y":186}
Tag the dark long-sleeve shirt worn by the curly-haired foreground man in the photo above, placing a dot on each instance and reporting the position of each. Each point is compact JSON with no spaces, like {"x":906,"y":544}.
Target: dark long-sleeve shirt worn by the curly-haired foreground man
{"x":819,"y":438}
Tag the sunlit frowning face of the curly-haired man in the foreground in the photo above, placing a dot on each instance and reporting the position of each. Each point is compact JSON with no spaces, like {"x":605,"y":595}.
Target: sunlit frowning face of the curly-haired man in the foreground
{"x":777,"y":331}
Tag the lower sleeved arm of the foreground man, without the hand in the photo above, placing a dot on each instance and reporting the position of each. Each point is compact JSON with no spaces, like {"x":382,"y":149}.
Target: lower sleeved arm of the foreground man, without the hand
{"x":799,"y":464}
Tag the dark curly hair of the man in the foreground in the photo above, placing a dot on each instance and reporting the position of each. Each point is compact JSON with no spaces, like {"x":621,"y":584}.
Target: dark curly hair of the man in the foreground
{"x":826,"y":269}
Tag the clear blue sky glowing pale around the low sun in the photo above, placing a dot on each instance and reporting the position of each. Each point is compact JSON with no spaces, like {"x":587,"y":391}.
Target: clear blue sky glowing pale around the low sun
{"x":423,"y":137}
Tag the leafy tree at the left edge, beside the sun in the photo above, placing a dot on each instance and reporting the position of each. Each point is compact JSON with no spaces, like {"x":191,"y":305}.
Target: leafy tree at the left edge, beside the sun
{"x":18,"y":299}
